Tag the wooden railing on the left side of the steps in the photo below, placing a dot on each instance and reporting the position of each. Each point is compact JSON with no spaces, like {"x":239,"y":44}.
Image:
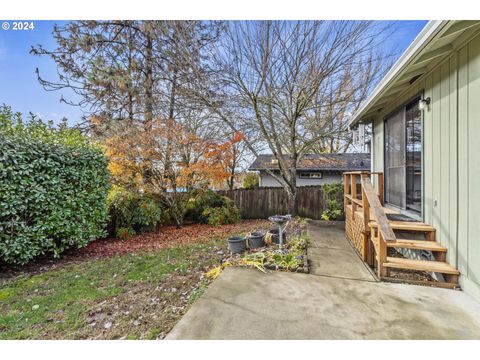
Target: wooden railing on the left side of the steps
{"x":368,"y":201}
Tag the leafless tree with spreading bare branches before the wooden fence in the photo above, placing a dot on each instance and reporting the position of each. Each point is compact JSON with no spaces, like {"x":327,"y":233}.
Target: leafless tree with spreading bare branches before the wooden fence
{"x":289,"y":85}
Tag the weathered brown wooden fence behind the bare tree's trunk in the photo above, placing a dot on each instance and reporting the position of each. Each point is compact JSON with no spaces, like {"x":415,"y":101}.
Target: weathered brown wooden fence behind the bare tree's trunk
{"x":261,"y":202}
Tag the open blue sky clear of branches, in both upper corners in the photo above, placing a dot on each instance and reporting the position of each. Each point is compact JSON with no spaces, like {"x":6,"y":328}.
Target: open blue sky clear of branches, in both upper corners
{"x":20,"y":89}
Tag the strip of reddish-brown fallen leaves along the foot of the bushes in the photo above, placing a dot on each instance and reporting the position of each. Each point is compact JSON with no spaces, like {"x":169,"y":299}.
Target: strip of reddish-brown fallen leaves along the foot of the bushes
{"x":166,"y":236}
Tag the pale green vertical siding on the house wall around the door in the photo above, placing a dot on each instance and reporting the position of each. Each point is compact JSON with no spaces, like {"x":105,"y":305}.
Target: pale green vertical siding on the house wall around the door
{"x":451,"y":154}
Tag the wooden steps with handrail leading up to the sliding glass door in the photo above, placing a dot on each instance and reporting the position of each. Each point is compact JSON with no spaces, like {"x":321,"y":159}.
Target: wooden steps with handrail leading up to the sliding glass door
{"x":379,"y":234}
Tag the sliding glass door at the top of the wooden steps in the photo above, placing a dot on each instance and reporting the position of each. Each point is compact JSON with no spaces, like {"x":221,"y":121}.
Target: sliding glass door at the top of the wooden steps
{"x":403,"y":156}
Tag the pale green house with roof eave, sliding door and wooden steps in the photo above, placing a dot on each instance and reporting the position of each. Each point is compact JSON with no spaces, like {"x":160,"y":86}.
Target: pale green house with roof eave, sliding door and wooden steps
{"x":425,"y":118}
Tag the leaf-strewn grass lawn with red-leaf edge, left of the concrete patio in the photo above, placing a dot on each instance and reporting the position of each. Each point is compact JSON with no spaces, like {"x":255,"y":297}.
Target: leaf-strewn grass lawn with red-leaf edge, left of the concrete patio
{"x":114,"y":294}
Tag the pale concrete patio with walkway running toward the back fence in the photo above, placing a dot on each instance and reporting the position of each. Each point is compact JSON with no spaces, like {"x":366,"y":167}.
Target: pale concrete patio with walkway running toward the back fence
{"x":338,"y":300}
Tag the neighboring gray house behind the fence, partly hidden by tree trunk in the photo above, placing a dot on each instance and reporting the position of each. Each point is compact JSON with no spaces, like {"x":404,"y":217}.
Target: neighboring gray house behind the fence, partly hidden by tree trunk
{"x":313,"y":169}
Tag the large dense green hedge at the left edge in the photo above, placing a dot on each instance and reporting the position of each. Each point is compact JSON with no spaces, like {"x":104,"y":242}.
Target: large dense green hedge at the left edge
{"x":53,"y":189}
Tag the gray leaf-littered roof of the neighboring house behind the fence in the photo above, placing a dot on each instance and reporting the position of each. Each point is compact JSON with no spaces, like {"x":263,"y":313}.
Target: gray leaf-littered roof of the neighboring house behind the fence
{"x":332,"y":162}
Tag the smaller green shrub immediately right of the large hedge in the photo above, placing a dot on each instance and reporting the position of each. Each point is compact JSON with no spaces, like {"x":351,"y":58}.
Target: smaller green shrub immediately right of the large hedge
{"x":132,"y":212}
